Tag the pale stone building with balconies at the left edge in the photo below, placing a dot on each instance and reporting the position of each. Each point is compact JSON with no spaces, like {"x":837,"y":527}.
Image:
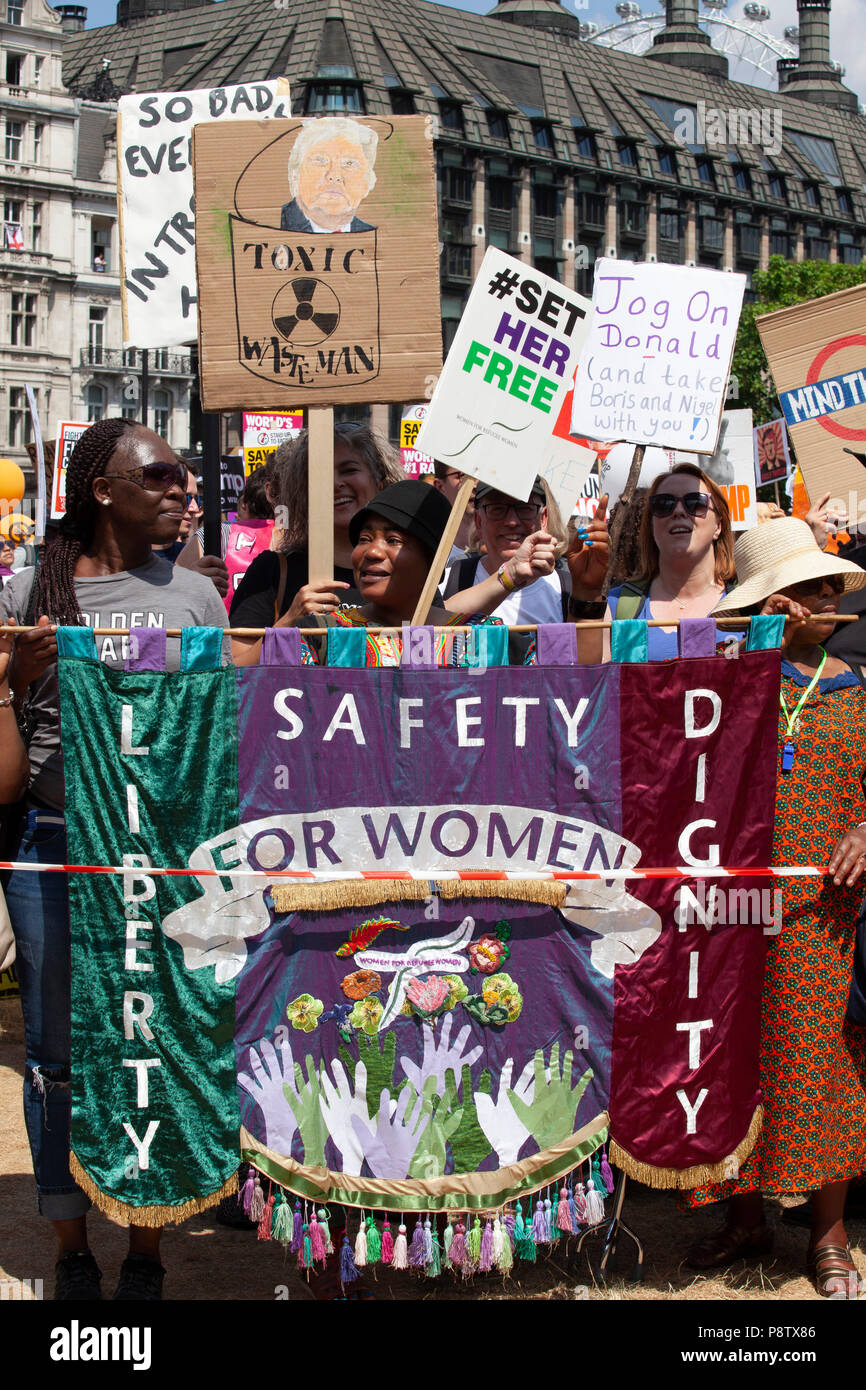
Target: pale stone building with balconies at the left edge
{"x":59,"y":255}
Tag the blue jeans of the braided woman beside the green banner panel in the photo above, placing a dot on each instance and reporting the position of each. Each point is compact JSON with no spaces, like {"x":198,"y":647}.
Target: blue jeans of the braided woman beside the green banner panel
{"x":40,"y":910}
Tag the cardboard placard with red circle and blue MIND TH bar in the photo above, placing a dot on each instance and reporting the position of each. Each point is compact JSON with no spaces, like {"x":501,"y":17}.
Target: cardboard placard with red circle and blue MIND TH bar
{"x":818,"y":358}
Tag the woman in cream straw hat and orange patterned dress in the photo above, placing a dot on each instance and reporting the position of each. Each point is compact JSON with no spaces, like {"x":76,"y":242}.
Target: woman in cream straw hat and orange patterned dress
{"x":814,"y":1063}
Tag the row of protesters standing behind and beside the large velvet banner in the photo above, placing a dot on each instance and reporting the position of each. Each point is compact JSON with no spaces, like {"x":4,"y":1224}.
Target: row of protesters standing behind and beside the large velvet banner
{"x":130,"y":546}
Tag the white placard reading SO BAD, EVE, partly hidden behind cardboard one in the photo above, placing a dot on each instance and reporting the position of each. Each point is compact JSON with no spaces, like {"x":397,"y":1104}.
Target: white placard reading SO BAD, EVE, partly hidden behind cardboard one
{"x":156,"y":208}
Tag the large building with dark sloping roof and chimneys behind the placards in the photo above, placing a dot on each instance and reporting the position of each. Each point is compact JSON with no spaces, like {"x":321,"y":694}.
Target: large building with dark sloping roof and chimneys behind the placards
{"x":555,"y":149}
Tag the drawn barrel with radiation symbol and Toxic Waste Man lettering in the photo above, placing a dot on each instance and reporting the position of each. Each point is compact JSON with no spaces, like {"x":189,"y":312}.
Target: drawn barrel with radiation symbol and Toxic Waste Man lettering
{"x":308,"y":305}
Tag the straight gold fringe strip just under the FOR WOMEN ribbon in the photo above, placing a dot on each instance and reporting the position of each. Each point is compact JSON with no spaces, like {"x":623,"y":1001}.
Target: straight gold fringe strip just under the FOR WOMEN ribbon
{"x":366,"y":893}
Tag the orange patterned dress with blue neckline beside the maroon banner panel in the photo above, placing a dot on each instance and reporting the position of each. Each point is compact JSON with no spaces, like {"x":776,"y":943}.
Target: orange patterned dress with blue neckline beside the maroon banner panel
{"x":812,"y":1061}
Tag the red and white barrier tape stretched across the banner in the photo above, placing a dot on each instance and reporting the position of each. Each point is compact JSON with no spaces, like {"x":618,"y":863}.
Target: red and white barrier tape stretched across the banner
{"x":446,"y":875}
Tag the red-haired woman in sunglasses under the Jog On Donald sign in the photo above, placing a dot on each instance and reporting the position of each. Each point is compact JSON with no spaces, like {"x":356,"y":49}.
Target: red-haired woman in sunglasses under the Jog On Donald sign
{"x":686,"y":550}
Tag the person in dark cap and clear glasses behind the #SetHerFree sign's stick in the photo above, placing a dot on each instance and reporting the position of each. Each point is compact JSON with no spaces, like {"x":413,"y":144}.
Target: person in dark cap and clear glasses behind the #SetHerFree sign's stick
{"x":537,"y":593}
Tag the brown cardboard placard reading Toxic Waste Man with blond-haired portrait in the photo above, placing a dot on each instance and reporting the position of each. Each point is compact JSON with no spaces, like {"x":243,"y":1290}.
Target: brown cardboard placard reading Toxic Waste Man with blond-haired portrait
{"x":319,"y":262}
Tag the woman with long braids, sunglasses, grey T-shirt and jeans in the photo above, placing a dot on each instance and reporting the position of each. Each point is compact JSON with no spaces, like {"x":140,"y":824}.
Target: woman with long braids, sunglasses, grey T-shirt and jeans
{"x":126,"y":494}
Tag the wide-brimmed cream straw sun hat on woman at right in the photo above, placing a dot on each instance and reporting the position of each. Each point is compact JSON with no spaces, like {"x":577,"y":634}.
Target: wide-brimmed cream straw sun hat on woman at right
{"x":772,"y":557}
